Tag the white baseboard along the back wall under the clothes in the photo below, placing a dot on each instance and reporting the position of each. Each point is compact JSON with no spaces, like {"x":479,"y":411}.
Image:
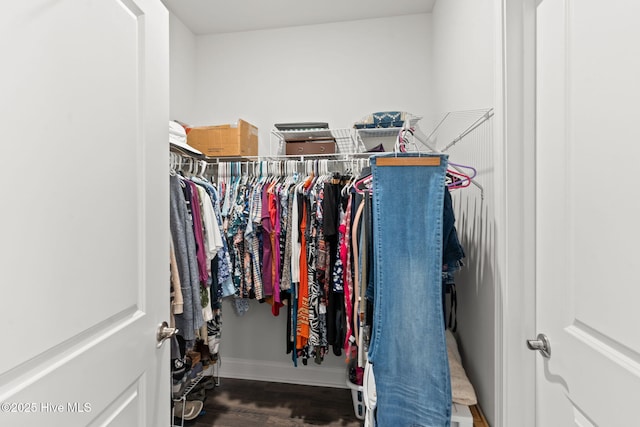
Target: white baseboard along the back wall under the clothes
{"x":259,"y":370}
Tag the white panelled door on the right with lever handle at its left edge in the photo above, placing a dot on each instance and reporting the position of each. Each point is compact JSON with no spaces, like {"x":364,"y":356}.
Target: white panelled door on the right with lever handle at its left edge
{"x":588,"y":205}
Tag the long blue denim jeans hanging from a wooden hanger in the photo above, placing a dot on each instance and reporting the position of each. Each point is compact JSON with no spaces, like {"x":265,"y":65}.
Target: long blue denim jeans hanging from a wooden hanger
{"x":408,"y":348}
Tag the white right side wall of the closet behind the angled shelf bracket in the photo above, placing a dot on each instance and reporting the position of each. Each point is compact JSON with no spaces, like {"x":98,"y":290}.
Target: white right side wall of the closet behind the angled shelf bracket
{"x":464,"y":79}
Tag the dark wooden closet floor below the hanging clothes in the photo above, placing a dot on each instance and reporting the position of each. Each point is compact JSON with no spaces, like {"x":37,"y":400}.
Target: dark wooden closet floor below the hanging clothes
{"x":242,"y":403}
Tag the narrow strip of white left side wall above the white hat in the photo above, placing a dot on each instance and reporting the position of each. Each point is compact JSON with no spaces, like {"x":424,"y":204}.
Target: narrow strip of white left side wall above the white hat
{"x":182,"y":70}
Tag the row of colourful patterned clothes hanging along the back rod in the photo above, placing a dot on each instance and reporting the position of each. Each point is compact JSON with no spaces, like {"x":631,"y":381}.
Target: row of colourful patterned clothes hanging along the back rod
{"x":291,"y":241}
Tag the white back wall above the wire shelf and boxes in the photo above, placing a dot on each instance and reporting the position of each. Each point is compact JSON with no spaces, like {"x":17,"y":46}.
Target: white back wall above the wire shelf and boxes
{"x":336,"y":73}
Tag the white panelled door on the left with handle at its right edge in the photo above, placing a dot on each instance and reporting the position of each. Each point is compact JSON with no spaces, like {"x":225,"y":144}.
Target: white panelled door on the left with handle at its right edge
{"x":84,"y":214}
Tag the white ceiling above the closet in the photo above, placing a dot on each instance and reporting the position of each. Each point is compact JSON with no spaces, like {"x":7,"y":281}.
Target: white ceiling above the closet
{"x":224,"y":16}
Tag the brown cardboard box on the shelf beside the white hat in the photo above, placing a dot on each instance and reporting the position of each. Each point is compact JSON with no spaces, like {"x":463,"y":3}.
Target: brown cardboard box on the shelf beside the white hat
{"x":225,"y":140}
